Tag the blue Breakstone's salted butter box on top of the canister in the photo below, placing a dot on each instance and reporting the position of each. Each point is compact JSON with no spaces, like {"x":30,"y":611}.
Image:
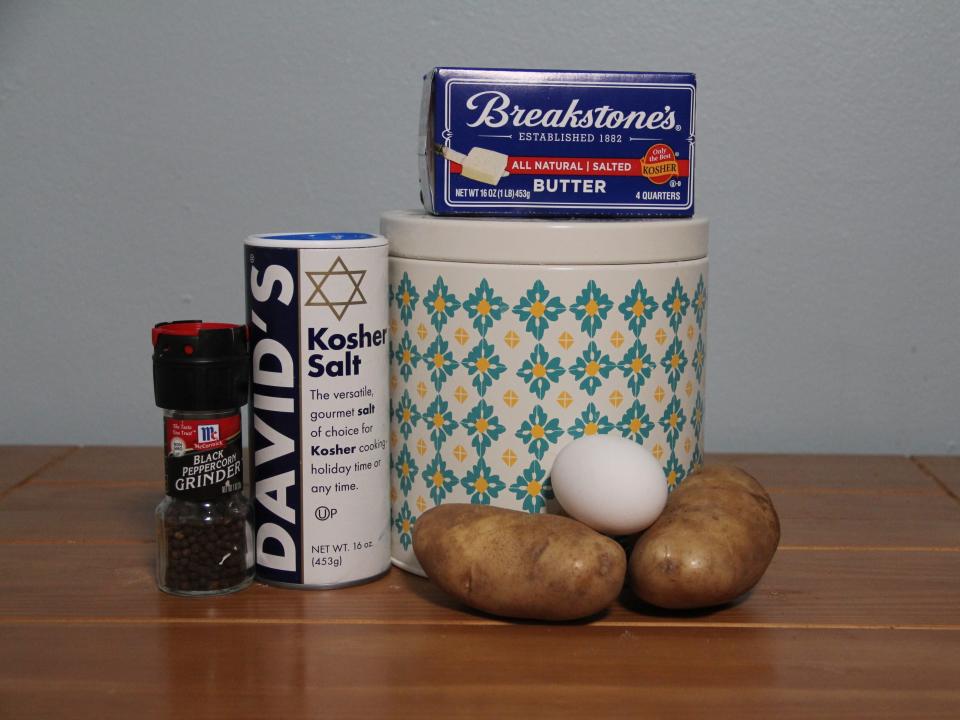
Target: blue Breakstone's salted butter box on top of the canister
{"x":557,"y":143}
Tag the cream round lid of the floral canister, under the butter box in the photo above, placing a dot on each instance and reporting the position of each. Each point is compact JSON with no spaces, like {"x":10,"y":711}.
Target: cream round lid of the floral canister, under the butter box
{"x":523,"y":241}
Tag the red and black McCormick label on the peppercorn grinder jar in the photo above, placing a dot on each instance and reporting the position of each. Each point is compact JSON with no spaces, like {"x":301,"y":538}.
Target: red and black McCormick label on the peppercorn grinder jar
{"x":204,"y":458}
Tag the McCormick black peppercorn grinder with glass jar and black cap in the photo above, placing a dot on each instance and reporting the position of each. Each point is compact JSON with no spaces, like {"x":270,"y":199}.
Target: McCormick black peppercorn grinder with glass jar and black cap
{"x":204,"y":529}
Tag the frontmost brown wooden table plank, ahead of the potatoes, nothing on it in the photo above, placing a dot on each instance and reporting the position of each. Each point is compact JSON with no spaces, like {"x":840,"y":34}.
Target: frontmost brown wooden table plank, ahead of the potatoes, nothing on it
{"x":294,"y":671}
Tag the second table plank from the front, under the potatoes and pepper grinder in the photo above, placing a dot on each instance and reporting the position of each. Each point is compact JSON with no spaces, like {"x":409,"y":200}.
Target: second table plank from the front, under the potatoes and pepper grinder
{"x":801,"y":588}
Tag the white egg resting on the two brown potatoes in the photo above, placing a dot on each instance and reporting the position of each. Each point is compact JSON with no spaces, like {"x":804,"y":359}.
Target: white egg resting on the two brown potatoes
{"x":609,"y":483}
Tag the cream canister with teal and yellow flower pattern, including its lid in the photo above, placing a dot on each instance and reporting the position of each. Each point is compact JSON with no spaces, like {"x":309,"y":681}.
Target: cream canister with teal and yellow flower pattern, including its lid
{"x":512,"y":337}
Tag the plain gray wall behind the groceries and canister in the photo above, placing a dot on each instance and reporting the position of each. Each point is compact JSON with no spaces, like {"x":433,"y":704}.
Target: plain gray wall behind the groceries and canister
{"x":140,"y":141}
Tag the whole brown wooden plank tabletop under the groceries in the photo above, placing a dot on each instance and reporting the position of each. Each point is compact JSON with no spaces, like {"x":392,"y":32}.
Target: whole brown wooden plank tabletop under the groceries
{"x":858,"y":616}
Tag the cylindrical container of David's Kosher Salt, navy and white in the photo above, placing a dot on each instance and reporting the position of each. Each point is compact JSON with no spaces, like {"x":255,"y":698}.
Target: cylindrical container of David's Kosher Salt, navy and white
{"x":319,"y":411}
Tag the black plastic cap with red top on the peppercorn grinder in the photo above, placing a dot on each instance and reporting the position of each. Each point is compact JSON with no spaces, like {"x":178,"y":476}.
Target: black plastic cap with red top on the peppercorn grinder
{"x":200,"y":366}
